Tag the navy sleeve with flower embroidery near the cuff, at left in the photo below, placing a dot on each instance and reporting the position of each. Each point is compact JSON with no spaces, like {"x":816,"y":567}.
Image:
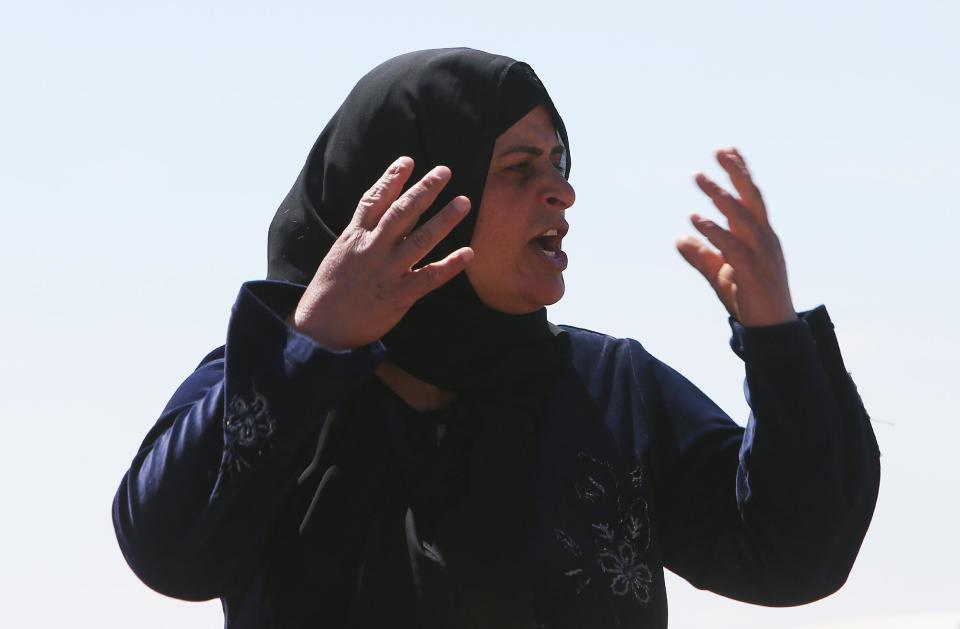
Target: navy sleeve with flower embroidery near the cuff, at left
{"x":193,"y":511}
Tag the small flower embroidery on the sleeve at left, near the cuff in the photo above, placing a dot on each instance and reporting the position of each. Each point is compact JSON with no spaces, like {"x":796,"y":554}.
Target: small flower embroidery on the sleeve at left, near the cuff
{"x":247,"y":427}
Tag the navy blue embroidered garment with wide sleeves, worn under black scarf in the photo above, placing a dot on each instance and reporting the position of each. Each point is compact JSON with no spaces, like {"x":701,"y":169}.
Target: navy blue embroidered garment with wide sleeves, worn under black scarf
{"x":638,"y":471}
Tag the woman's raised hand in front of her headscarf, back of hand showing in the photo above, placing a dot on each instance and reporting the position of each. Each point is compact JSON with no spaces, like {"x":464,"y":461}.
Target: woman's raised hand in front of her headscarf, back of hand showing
{"x":366,"y":282}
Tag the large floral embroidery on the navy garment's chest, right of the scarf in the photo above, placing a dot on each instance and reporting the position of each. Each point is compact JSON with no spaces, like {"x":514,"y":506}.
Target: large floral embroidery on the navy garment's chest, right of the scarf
{"x":620,"y":538}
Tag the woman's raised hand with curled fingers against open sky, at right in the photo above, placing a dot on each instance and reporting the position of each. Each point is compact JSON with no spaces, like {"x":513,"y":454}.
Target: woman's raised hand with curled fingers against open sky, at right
{"x":748,"y":273}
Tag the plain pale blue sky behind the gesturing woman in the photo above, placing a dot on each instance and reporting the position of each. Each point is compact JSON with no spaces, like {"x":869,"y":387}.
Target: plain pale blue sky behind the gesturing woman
{"x":144,"y":147}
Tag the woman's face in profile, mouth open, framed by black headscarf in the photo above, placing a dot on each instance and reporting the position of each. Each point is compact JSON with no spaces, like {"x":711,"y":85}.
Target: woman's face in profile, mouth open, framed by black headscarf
{"x":518,"y":263}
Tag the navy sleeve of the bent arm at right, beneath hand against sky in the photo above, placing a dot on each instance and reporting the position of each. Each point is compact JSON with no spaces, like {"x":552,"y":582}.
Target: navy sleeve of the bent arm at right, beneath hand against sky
{"x":774,"y":514}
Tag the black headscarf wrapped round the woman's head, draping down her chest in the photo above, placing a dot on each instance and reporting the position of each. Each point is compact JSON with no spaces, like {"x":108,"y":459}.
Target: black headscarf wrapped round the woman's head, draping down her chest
{"x":447,"y":547}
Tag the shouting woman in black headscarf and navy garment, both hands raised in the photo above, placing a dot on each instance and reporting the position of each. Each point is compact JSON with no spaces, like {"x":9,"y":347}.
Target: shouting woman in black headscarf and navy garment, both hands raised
{"x":408,"y":442}
